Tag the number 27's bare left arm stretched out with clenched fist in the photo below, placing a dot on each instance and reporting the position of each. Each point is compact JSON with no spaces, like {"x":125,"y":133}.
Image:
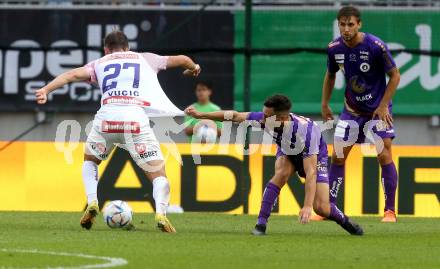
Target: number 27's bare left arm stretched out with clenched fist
{"x":74,"y":75}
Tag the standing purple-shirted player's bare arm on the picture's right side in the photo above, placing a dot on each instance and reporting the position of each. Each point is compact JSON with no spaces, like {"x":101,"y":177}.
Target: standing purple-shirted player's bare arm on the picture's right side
{"x":382,"y":112}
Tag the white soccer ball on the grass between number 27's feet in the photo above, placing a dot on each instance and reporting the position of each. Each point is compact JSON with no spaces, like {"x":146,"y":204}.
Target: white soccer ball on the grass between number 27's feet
{"x":117,"y":214}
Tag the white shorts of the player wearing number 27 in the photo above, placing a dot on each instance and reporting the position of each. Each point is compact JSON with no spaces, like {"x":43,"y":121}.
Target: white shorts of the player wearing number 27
{"x":141,"y":143}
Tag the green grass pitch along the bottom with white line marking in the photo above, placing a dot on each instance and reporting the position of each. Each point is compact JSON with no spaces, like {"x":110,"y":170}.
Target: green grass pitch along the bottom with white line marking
{"x":208,"y":240}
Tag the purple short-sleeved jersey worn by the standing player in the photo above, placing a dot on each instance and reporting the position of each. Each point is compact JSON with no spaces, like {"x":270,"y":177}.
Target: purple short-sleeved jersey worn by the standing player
{"x":364,"y":68}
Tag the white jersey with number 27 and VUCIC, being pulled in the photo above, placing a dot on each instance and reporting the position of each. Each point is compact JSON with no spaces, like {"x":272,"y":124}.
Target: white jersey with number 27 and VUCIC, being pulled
{"x":128,"y":82}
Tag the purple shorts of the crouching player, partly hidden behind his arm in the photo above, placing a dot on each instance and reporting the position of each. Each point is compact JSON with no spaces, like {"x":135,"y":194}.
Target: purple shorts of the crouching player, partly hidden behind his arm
{"x":322,"y":165}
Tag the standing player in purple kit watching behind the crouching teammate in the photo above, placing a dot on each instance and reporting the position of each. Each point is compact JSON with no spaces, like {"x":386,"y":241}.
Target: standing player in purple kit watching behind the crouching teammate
{"x":365,"y":61}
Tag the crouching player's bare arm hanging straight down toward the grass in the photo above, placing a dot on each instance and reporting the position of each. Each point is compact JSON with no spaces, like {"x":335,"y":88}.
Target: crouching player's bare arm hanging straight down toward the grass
{"x":310,"y":188}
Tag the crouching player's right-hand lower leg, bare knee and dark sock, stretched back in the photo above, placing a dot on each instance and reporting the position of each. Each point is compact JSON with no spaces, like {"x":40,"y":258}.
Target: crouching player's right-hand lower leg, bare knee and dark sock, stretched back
{"x":323,"y":207}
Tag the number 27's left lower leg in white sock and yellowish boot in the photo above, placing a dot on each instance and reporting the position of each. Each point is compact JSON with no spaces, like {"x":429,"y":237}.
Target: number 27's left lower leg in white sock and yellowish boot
{"x":90,"y":178}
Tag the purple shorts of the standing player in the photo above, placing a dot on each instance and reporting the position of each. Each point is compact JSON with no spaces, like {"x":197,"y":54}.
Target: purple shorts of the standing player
{"x":356,"y":127}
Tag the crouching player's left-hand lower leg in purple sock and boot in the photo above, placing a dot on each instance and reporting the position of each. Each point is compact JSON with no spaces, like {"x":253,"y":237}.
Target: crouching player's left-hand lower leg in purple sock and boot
{"x":270,"y":195}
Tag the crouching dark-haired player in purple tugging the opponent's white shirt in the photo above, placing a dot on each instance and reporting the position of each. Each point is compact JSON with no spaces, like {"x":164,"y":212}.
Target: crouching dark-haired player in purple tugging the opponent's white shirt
{"x":301,"y":149}
